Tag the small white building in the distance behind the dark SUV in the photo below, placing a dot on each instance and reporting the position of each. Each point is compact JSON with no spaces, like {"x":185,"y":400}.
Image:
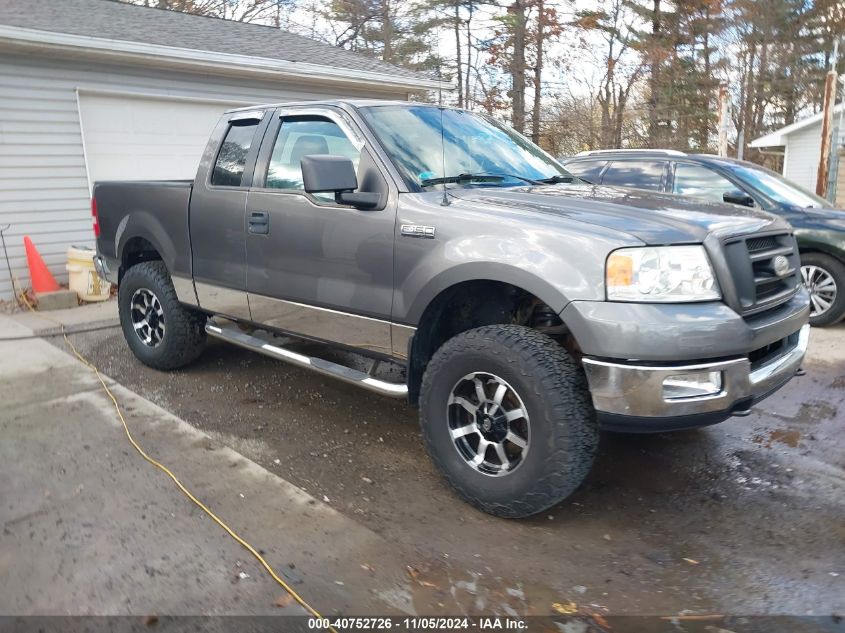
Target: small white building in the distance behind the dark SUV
{"x":801,"y":144}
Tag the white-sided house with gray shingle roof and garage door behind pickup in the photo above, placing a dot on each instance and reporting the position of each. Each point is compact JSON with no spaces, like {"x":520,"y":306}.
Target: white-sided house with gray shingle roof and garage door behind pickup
{"x":97,"y":89}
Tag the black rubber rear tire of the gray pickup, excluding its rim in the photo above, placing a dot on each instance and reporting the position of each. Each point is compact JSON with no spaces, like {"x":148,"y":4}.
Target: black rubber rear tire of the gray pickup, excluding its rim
{"x":184,"y":335}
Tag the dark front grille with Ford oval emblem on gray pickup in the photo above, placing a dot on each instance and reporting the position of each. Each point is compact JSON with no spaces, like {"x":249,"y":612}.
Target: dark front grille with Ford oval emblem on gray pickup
{"x":753,"y":261}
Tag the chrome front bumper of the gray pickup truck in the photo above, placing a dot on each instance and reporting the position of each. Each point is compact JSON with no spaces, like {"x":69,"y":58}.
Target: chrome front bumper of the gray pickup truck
{"x":631,"y":397}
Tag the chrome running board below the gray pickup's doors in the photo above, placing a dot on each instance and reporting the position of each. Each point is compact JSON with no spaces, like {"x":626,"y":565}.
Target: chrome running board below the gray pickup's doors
{"x":319,"y":365}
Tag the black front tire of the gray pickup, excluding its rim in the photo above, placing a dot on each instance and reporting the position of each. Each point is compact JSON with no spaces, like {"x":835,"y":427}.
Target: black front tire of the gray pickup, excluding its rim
{"x":552,"y":386}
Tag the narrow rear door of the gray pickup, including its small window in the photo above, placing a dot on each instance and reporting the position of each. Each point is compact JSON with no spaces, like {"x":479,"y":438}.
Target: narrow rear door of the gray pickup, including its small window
{"x":218,"y":205}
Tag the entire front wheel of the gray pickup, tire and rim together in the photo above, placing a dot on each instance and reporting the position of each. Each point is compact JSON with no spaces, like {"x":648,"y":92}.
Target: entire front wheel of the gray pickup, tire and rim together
{"x":508,"y":419}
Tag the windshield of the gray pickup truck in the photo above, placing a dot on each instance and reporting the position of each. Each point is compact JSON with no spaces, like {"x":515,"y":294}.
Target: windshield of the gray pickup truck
{"x":473,"y":146}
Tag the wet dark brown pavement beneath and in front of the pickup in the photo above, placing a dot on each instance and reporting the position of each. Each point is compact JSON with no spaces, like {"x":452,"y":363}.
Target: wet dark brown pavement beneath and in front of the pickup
{"x":746,"y":517}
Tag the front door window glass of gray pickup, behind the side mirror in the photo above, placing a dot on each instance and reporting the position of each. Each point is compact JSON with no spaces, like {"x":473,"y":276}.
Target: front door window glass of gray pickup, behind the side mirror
{"x":302,"y":136}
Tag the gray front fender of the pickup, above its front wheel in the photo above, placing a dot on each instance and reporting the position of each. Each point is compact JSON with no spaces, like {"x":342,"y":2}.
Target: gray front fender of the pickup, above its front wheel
{"x":554,"y":258}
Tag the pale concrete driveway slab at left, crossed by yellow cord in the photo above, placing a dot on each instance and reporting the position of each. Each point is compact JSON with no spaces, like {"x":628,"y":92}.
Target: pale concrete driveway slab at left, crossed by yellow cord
{"x":89,"y":528}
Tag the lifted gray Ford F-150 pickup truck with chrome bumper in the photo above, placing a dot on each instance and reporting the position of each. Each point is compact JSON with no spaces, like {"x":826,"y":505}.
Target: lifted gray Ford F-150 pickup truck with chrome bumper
{"x":524,"y":308}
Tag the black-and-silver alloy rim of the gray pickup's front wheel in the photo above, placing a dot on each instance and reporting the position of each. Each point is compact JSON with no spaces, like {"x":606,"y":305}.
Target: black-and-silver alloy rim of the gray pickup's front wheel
{"x":488,"y":423}
